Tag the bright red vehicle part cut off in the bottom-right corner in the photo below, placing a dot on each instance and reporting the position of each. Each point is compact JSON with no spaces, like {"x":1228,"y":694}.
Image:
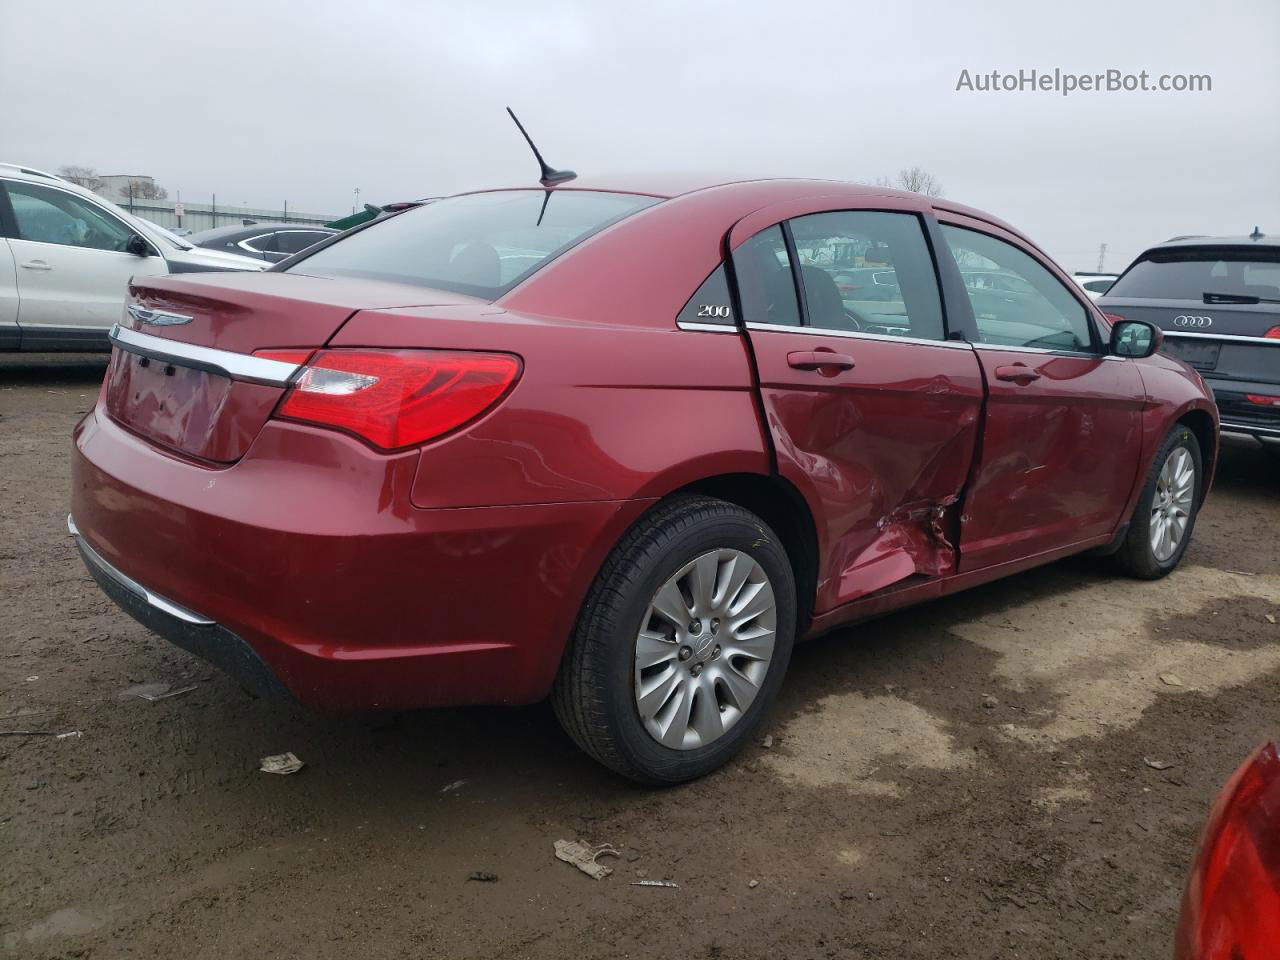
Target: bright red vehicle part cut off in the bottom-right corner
{"x":1232,"y":903}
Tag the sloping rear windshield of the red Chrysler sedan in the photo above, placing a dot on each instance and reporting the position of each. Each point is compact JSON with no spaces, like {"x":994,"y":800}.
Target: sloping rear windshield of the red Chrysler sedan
{"x":481,"y":244}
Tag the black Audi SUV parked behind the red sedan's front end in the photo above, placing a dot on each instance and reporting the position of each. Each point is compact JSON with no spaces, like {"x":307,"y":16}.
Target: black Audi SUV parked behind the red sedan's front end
{"x":1218,"y":300}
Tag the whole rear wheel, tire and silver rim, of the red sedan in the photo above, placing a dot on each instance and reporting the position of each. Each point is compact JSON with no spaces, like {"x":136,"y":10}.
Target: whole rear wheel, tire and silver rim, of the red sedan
{"x":682,"y":643}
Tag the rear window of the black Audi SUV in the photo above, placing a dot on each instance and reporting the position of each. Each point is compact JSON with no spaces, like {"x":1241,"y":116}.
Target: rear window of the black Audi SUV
{"x":1190,"y":275}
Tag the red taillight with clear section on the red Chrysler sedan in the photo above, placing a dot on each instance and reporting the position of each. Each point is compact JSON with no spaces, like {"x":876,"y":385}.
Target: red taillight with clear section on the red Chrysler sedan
{"x":397,"y":399}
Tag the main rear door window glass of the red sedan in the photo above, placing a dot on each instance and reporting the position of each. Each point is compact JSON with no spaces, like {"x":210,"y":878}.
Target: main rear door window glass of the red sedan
{"x":868,"y":272}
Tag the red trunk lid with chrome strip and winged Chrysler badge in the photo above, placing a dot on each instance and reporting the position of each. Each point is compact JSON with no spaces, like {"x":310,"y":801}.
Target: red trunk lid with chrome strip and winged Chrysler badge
{"x":184,"y":373}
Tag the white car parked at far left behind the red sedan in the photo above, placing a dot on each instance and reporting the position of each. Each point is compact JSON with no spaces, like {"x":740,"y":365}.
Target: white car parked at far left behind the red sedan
{"x":67,"y":257}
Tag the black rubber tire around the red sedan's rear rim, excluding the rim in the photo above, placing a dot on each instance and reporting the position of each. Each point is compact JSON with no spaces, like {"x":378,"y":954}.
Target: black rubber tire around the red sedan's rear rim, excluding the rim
{"x":595,"y":696}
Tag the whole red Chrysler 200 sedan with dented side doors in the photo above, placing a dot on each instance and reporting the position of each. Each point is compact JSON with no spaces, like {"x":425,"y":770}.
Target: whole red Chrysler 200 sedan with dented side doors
{"x":621,"y":445}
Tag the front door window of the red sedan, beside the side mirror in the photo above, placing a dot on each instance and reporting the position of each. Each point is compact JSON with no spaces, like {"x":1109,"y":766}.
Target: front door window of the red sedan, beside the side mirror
{"x":1017,"y":301}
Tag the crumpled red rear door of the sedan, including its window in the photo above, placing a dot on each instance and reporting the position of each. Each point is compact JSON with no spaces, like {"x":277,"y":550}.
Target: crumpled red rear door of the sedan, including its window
{"x":872,"y":412}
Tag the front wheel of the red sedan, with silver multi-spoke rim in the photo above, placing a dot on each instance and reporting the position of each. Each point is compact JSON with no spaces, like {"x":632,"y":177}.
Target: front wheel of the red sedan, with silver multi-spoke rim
{"x":1165,"y":516}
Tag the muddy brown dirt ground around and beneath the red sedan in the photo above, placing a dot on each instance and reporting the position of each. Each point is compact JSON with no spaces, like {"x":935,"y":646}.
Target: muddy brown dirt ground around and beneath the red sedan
{"x":963,"y":780}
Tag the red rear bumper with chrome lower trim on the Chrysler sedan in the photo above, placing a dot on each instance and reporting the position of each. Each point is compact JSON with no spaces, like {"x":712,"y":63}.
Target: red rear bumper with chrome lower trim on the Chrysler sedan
{"x":304,"y":569}
